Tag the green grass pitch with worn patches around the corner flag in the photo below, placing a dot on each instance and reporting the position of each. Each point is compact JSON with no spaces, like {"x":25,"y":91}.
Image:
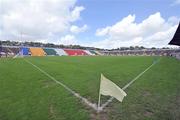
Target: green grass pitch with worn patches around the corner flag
{"x":27,"y":94}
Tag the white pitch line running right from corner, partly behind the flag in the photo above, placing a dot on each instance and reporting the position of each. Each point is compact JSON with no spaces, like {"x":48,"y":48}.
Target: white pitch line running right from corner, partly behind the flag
{"x":127,"y":85}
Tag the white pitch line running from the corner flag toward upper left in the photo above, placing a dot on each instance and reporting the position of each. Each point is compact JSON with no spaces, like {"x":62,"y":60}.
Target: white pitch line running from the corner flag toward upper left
{"x":92,"y":105}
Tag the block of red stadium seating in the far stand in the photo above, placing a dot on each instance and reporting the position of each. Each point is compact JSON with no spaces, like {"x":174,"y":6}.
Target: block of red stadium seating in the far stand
{"x":72,"y":52}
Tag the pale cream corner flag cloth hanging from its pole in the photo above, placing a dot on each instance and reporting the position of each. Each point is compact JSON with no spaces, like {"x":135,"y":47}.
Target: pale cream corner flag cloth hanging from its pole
{"x":109,"y":88}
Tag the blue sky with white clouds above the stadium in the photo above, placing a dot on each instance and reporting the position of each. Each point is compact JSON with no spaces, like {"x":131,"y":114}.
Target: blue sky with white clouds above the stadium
{"x":94,"y":23}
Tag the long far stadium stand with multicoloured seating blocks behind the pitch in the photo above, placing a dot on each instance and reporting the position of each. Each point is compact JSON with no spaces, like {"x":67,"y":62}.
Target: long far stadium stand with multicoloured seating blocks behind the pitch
{"x":14,"y":51}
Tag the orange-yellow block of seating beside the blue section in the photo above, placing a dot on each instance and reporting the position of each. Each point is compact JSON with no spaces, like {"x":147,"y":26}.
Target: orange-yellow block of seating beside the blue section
{"x":37,"y":52}
